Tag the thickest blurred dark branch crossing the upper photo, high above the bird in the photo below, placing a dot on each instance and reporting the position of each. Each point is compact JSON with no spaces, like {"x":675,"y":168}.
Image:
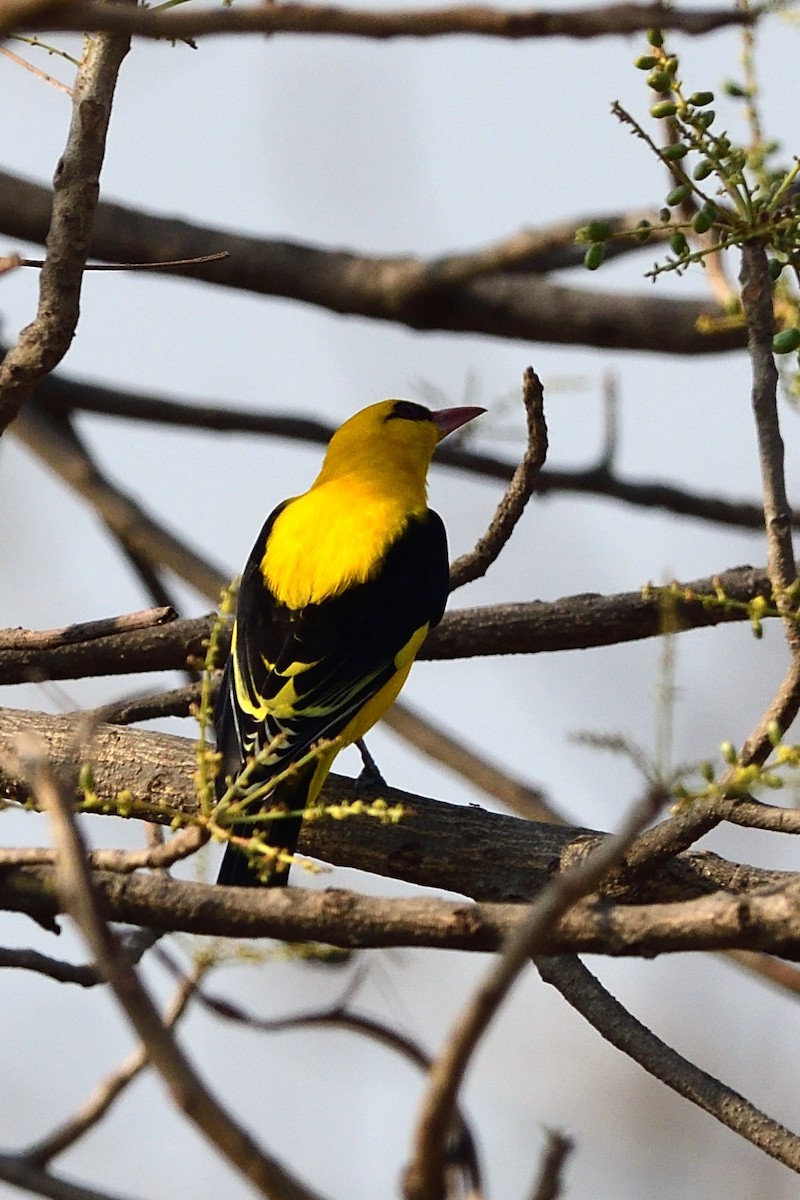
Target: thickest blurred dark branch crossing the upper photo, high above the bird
{"x":520,"y":307}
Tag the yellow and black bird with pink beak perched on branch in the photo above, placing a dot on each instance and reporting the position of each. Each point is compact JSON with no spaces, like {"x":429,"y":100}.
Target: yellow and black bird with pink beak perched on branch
{"x":338,"y":597}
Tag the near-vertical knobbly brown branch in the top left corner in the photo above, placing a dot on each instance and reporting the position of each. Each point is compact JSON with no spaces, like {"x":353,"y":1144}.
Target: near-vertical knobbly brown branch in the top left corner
{"x":76,"y":190}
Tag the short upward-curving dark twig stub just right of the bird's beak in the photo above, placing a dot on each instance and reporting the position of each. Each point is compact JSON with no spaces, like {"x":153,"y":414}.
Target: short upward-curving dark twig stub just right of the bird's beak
{"x":522,"y":487}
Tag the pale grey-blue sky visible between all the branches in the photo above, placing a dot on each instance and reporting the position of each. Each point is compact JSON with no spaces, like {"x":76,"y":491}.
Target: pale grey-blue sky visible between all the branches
{"x":406,"y":148}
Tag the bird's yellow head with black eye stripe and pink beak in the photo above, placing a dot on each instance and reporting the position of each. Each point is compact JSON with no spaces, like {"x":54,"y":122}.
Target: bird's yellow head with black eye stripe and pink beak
{"x":394,"y":435}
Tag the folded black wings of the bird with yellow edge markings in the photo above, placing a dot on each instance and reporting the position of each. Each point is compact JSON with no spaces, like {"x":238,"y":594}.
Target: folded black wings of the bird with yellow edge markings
{"x":302,"y":675}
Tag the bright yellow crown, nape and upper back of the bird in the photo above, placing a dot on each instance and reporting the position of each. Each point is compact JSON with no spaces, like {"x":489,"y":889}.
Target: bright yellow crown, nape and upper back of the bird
{"x":334,"y":536}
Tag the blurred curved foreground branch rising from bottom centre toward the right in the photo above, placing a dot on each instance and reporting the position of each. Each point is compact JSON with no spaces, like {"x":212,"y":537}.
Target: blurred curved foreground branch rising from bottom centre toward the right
{"x":425,"y":1174}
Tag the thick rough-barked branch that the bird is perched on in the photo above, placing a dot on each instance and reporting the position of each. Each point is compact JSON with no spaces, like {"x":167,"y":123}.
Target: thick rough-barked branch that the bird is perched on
{"x":459,"y":849}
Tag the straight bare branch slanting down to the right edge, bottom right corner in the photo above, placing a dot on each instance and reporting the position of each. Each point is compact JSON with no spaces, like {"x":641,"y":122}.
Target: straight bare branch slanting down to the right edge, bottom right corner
{"x":586,"y":994}
